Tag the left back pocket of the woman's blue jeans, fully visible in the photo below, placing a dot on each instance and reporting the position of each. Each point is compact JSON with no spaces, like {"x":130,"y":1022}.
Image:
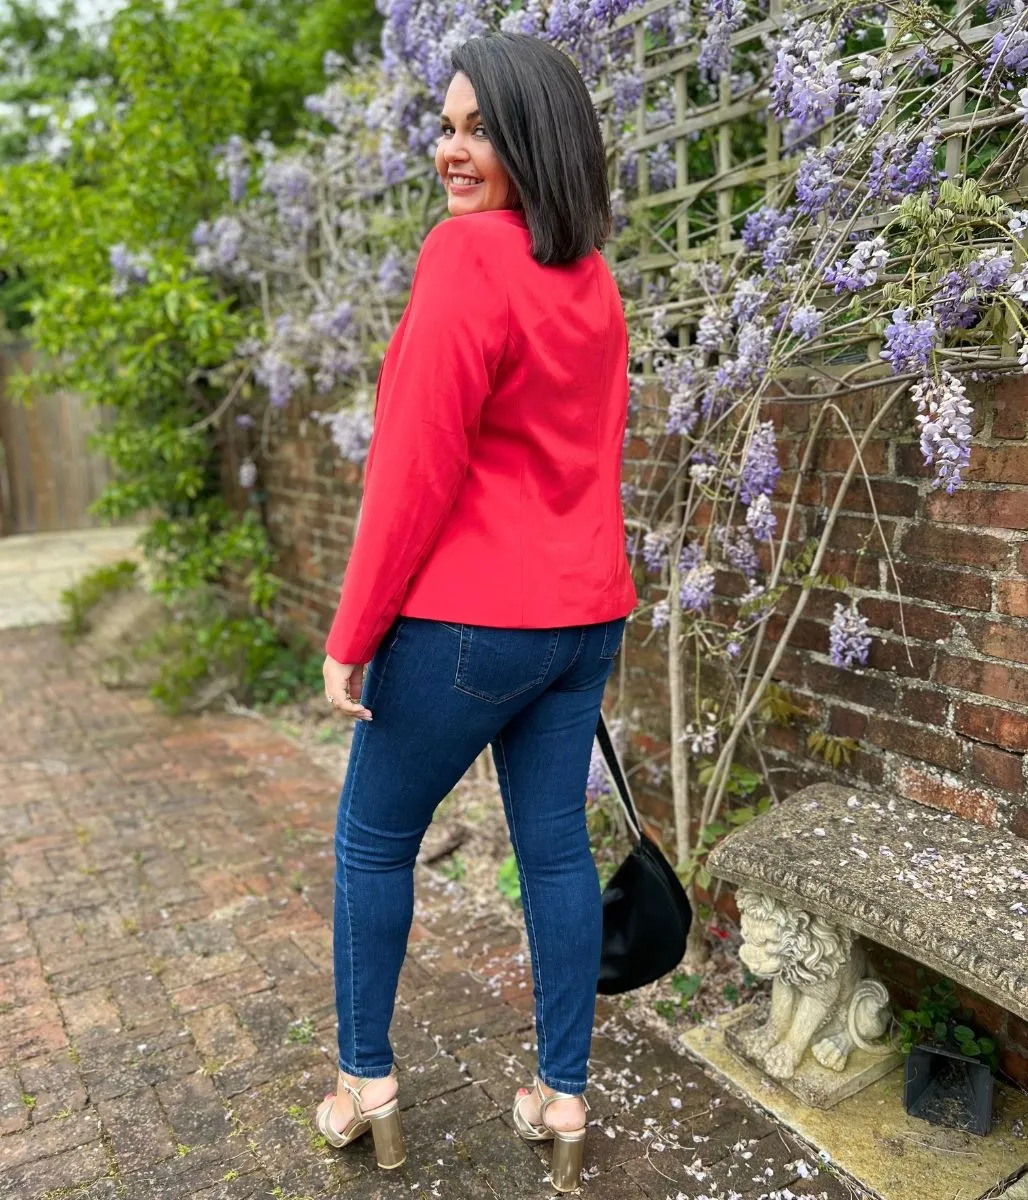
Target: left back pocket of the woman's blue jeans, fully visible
{"x":496,"y":665}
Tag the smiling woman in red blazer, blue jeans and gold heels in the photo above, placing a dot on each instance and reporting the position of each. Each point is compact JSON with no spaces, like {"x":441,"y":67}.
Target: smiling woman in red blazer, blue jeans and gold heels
{"x":489,"y":585}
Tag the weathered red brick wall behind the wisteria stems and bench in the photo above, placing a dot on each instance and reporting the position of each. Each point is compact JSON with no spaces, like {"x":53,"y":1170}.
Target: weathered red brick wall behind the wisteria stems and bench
{"x":943,"y":721}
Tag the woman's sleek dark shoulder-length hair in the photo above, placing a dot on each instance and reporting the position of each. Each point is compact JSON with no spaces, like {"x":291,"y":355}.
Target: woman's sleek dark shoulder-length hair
{"x":542,"y":123}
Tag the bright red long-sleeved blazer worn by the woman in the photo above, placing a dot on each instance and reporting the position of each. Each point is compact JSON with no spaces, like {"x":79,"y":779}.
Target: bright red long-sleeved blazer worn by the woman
{"x":492,"y":487}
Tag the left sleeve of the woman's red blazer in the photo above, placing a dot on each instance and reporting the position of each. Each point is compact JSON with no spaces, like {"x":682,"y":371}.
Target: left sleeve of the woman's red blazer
{"x":426,"y":418}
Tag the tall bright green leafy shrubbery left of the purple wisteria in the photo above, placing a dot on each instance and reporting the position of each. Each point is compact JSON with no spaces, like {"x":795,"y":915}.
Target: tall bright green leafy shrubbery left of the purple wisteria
{"x":169,"y":87}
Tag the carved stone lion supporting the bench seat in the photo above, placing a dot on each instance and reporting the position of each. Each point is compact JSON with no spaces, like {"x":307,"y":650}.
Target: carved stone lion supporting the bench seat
{"x":823,"y":997}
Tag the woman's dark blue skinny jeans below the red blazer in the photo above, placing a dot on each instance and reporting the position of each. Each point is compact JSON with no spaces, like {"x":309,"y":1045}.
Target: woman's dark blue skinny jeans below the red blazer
{"x":441,"y":694}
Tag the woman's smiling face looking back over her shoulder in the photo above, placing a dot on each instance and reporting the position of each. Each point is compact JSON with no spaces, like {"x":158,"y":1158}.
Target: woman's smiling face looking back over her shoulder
{"x":473,"y":176}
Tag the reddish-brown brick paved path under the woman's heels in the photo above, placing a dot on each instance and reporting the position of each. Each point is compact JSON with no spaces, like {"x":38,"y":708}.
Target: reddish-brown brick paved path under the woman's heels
{"x":166,"y":998}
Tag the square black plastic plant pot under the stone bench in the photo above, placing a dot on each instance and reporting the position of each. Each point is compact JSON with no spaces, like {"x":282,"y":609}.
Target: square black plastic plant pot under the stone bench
{"x":946,"y":1088}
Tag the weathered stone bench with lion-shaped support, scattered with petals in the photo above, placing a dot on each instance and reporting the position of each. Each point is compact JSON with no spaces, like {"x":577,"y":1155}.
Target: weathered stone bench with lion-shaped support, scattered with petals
{"x":831,"y":865}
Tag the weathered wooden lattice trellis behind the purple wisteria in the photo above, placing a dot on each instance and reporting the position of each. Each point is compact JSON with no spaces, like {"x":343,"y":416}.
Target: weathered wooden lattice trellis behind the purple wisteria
{"x":701,"y":217}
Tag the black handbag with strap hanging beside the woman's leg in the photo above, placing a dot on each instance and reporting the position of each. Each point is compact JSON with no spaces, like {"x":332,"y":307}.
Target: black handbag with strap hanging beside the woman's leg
{"x":646,"y":911}
